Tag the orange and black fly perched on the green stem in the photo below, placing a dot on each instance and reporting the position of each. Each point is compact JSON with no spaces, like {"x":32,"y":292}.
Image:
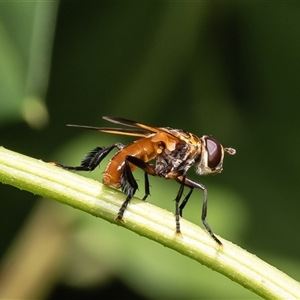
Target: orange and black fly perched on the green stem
{"x":160,"y":151}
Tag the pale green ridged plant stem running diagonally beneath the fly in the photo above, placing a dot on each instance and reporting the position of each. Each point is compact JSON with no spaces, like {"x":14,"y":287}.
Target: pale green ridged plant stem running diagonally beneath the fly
{"x":146,"y":220}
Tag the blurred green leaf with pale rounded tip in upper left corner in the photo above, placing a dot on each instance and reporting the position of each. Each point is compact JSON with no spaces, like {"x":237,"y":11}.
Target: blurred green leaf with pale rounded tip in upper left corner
{"x":26,"y":31}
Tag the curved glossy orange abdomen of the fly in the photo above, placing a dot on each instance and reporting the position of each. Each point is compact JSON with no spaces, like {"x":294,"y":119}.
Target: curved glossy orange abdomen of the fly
{"x":144,"y":148}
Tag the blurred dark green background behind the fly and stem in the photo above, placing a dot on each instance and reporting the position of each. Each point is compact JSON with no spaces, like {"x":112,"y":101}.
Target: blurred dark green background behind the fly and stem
{"x":226,"y":69}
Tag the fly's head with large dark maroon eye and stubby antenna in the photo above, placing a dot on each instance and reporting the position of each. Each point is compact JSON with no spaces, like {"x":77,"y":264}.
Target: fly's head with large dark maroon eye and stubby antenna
{"x":212,"y":155}
